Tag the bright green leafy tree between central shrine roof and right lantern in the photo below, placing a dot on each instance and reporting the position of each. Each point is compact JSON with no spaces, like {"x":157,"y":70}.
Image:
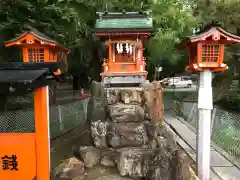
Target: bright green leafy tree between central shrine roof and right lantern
{"x":172,"y":21}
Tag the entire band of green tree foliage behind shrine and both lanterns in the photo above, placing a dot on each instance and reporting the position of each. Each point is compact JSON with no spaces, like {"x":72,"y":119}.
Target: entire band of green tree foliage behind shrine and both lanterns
{"x":70,"y":22}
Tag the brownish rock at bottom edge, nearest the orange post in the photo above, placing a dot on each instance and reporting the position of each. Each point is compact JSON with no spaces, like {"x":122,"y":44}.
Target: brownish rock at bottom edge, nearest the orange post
{"x":70,"y":169}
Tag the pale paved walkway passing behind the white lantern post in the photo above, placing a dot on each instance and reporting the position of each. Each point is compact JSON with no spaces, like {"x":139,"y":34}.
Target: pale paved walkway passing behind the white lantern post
{"x":221,"y":168}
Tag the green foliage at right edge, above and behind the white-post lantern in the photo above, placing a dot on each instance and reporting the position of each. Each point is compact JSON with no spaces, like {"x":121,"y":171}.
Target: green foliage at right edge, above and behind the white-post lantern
{"x":226,"y":14}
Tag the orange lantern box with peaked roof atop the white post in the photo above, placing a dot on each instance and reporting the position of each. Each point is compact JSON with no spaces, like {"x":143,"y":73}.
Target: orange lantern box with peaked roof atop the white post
{"x":206,"y":49}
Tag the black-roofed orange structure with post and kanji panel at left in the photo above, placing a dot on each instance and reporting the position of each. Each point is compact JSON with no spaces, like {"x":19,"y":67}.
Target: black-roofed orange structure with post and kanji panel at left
{"x":25,"y":153}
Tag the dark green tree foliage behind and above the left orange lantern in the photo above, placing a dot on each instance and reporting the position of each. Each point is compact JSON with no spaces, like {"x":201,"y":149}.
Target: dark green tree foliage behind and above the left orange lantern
{"x":68,"y":22}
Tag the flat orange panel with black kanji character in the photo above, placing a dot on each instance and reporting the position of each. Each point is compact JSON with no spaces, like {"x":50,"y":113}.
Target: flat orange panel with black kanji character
{"x":17,"y":156}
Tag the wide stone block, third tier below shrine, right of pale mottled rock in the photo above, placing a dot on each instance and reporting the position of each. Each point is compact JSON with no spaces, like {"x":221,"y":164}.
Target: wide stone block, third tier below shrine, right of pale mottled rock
{"x":127,"y":134}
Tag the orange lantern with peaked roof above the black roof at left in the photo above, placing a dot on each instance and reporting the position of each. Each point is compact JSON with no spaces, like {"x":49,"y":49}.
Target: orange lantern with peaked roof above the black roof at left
{"x":36,"y":47}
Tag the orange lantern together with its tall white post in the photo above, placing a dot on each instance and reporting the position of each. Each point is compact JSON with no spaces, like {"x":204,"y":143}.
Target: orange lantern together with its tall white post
{"x":206,"y":55}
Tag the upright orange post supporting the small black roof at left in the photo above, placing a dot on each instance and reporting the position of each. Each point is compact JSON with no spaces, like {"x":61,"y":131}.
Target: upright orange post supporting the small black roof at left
{"x":41,"y":107}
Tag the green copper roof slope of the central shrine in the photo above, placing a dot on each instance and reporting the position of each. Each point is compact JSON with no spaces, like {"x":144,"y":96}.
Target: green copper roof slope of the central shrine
{"x":126,"y":23}
